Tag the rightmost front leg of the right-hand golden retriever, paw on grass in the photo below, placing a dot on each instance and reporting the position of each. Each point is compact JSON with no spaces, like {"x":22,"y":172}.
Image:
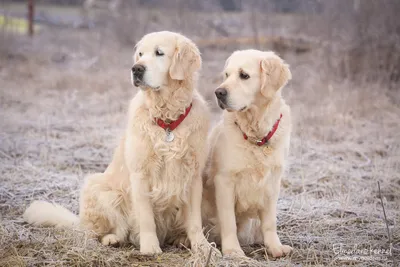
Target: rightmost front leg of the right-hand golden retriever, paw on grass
{"x":268,"y":224}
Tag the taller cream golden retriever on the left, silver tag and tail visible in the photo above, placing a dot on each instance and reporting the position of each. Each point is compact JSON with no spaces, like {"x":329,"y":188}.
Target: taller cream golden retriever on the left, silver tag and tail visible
{"x":151,"y":192}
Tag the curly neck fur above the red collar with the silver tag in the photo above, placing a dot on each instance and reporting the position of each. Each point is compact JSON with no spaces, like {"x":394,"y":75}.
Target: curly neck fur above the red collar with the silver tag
{"x":169,"y":102}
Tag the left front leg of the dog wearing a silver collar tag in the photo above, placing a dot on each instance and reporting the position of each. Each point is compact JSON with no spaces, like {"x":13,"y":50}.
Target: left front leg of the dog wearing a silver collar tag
{"x":149,"y":243}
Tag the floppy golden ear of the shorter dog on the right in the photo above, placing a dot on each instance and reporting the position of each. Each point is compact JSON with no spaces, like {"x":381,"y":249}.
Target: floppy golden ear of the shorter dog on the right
{"x":275,"y":74}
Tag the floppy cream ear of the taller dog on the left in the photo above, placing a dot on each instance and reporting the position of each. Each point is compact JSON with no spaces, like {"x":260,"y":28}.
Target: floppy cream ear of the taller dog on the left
{"x":186,"y":60}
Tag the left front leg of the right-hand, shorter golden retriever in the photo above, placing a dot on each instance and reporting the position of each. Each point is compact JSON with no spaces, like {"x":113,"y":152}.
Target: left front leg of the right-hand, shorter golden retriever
{"x":225,"y":200}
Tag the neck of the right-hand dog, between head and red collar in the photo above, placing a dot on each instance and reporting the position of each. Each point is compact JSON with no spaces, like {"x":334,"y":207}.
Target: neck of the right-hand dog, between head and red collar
{"x":258,"y":119}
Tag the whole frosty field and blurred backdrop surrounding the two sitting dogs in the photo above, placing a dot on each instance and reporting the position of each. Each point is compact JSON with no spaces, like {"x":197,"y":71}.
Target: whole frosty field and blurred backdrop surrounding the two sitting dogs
{"x":64,"y":94}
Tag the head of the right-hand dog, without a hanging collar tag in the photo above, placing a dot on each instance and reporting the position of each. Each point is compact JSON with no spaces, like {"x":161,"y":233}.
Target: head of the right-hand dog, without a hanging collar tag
{"x":249,"y":75}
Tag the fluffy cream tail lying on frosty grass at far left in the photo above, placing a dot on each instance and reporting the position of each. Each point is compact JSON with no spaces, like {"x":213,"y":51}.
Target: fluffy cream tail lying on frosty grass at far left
{"x":42,"y":213}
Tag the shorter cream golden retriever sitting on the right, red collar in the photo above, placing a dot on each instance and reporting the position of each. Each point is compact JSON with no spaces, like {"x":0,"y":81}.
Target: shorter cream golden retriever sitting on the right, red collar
{"x":248,"y":153}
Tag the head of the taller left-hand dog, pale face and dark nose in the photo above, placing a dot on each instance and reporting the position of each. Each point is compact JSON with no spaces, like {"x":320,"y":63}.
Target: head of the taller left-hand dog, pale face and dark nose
{"x":162,"y":56}
